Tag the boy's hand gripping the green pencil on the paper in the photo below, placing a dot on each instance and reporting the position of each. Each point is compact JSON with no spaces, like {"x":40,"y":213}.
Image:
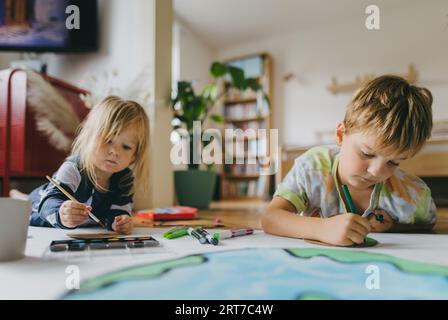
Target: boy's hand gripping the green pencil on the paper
{"x":345,"y":229}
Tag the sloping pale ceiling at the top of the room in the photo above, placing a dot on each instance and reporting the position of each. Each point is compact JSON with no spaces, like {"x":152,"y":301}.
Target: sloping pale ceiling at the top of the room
{"x":223,"y":23}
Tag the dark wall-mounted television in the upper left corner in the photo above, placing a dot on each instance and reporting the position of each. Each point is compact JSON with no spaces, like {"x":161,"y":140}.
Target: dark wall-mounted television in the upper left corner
{"x":41,"y":25}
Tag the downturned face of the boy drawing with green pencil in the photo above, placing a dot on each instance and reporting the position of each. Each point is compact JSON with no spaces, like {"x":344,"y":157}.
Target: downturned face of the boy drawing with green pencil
{"x":361,"y":164}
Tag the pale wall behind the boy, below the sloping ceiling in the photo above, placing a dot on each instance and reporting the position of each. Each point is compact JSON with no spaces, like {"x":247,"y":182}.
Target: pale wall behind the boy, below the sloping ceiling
{"x":417,"y":35}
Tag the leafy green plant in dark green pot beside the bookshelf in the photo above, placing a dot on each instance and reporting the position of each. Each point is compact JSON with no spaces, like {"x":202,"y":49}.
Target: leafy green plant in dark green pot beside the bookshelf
{"x":195,"y":187}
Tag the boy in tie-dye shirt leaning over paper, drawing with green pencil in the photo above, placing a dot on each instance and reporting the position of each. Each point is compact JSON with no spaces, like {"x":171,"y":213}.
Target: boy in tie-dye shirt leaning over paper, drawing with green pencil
{"x":387,"y":121}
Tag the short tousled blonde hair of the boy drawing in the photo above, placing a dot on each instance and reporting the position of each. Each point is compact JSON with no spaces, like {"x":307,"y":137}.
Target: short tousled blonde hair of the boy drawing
{"x":398,"y":113}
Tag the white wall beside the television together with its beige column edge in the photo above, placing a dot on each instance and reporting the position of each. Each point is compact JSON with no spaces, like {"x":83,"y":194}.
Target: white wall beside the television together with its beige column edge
{"x":128,"y":44}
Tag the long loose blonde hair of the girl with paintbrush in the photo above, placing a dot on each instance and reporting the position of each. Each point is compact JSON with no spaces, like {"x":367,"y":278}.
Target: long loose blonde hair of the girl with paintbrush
{"x":105,"y":121}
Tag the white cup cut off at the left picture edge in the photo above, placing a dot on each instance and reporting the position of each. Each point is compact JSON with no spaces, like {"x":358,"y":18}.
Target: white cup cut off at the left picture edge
{"x":14,"y":220}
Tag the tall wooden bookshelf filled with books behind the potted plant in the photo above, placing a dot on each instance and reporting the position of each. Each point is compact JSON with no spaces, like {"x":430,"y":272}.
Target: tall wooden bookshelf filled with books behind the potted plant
{"x":244,"y":110}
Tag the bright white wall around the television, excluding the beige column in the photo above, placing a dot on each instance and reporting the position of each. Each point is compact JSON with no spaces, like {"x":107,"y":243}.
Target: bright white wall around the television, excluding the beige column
{"x":126,"y":35}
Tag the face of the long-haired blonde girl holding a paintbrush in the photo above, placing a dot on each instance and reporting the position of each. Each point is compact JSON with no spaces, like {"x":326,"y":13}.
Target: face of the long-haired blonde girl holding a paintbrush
{"x":117,"y":154}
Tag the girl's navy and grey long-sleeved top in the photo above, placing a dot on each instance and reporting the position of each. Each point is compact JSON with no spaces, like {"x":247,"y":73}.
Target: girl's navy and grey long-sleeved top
{"x":47,"y":199}
